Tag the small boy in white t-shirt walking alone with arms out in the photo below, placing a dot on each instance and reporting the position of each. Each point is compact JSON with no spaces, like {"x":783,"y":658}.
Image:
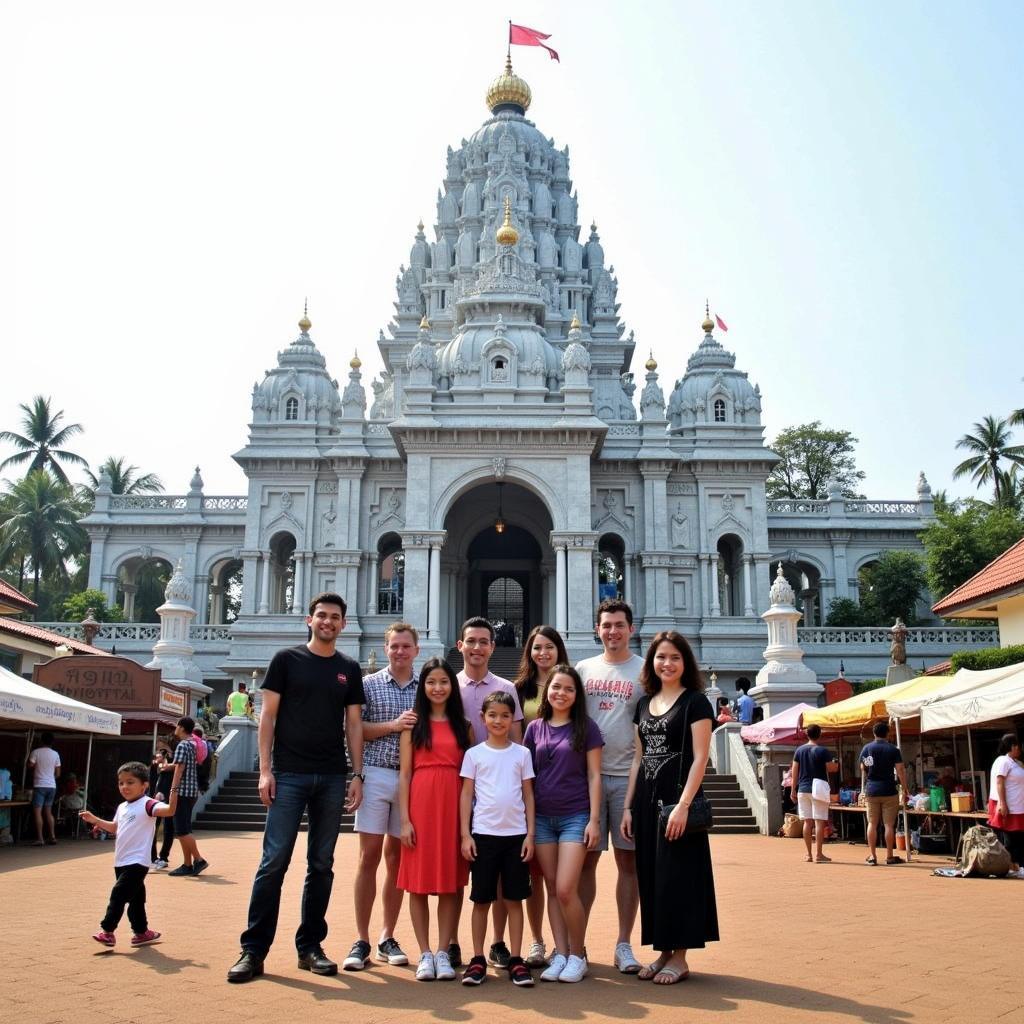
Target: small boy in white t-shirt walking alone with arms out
{"x":134,"y":827}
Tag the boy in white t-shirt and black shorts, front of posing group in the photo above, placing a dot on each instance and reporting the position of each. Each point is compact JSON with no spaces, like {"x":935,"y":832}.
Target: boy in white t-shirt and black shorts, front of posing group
{"x":497,"y":822}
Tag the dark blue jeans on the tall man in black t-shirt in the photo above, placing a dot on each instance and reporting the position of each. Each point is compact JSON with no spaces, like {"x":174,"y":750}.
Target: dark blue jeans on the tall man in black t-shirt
{"x":324,"y":797}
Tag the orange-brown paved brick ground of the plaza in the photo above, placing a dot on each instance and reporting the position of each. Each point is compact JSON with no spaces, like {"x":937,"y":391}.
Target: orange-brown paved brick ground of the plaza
{"x":802,"y":943}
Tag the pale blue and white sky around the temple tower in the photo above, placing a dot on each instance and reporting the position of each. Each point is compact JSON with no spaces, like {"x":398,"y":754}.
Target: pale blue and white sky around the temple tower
{"x":841,"y":181}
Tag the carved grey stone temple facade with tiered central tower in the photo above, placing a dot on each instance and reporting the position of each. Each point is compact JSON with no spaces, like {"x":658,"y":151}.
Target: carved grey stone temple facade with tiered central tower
{"x":509,"y":385}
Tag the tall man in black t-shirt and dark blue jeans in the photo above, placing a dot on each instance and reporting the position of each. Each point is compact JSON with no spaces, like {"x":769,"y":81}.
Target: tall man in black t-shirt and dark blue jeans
{"x":313,"y":698}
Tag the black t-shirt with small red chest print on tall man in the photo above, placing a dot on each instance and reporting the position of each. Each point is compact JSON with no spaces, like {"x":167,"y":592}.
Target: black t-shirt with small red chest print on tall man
{"x":310,"y":734}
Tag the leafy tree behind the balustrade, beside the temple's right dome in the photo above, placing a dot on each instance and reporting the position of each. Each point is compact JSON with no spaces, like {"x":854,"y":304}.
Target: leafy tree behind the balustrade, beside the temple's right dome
{"x":812,"y":456}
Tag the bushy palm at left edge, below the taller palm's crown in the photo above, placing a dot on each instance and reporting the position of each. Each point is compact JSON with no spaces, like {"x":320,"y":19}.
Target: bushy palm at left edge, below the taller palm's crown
{"x":40,"y":519}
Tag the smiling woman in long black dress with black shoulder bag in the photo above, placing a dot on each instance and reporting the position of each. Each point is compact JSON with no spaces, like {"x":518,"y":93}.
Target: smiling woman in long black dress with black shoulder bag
{"x":678,"y":910}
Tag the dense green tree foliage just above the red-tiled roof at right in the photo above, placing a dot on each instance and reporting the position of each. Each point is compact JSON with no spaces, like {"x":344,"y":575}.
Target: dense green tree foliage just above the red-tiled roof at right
{"x":964,"y":539}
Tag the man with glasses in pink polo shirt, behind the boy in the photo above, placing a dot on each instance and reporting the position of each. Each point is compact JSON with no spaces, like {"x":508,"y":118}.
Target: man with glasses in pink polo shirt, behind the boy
{"x":477,"y":682}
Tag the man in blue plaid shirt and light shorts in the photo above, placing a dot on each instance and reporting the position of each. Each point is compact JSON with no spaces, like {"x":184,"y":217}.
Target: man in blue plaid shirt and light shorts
{"x":387,"y":714}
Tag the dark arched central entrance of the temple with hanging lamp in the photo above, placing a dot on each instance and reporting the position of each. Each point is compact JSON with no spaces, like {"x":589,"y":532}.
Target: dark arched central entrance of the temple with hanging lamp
{"x":505,"y":575}
